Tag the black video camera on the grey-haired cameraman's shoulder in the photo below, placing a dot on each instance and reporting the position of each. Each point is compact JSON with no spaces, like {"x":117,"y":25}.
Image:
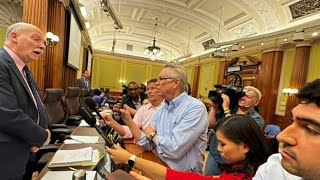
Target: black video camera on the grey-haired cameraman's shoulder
{"x":233,"y":89}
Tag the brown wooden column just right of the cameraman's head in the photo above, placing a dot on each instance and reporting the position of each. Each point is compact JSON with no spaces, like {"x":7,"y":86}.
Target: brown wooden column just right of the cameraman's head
{"x":268,"y":83}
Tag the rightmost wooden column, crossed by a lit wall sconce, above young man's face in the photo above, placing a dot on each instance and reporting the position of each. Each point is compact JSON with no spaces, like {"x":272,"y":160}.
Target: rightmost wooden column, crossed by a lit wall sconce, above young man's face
{"x":298,"y":78}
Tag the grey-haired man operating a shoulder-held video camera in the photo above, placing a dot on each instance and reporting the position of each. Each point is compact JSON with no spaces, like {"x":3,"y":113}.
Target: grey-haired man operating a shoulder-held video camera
{"x":246,"y":105}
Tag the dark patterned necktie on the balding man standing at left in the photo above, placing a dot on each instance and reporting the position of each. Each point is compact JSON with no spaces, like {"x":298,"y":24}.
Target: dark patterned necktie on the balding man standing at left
{"x":41,"y":112}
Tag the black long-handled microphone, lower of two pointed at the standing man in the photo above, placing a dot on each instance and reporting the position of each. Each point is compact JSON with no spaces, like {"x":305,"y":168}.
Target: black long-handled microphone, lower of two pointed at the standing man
{"x":91,"y":120}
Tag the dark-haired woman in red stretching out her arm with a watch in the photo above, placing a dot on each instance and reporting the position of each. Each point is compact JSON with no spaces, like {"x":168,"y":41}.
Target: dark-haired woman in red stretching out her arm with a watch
{"x":242,"y":145}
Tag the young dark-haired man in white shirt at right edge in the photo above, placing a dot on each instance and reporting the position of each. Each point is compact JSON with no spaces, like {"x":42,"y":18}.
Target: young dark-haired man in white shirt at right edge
{"x":299,"y":156}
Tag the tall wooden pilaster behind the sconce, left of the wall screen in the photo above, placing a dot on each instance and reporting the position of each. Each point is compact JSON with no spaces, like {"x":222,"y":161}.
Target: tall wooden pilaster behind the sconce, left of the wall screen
{"x":55,"y":63}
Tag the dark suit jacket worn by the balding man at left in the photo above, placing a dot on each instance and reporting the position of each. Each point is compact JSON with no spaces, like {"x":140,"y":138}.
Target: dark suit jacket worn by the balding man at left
{"x":18,"y":116}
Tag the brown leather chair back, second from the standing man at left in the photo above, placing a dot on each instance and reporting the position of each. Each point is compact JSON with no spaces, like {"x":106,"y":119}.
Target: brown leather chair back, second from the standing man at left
{"x":72,"y":100}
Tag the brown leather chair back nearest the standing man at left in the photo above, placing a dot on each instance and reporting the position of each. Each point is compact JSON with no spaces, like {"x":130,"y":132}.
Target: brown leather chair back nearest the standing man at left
{"x":54,"y":109}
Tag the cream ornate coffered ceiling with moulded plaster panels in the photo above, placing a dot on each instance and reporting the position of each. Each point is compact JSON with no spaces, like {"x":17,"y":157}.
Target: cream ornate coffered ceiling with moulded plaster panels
{"x":185,"y":27}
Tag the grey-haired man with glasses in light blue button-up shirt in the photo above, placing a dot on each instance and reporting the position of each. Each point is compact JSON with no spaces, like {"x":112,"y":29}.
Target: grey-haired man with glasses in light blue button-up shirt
{"x":178,"y":131}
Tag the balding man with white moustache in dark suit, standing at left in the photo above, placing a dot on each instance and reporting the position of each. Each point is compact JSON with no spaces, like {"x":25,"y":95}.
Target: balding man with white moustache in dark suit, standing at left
{"x":23,"y":124}
